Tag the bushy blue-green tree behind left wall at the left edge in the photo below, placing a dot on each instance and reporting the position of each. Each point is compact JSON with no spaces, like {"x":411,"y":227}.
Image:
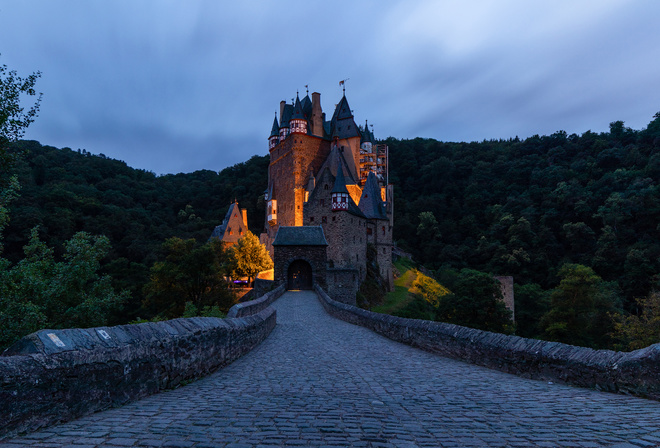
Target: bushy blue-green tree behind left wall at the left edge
{"x":41,"y":292}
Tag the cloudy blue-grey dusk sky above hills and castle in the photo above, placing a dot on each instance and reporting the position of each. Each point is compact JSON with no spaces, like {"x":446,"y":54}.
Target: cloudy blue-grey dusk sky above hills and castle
{"x":178,"y":86}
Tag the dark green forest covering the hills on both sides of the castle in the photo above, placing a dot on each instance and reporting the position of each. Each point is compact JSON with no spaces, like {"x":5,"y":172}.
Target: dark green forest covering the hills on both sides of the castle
{"x":555,"y":212}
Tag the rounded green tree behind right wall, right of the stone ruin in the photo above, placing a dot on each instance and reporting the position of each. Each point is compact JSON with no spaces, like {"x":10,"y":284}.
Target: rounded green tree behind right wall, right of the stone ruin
{"x":581,"y":308}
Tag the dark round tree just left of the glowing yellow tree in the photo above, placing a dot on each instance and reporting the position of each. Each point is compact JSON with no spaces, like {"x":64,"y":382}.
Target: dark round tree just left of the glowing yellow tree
{"x":191,"y":272}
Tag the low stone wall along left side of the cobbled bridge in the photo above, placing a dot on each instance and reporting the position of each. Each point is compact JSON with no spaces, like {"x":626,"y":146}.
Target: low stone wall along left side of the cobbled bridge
{"x":57,"y":375}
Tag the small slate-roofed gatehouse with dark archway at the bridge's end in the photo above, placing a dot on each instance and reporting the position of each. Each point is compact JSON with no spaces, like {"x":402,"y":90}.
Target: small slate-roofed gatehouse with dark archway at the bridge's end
{"x":300,"y":257}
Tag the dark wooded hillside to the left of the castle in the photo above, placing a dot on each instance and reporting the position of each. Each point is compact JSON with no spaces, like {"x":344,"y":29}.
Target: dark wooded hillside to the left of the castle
{"x":65,"y":191}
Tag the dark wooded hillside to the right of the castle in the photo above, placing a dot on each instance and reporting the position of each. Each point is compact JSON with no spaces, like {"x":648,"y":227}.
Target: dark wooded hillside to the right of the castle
{"x":528,"y":207}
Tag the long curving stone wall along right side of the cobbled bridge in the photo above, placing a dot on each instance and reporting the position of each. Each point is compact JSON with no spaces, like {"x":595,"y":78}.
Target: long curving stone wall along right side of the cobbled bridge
{"x":635,"y":372}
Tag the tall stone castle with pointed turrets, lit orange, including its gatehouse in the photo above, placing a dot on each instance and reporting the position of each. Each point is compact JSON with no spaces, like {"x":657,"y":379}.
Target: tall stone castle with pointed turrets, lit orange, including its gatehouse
{"x":328,"y":193}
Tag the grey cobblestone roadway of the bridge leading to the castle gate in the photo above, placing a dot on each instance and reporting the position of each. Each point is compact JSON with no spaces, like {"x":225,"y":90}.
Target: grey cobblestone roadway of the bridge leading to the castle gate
{"x":318,"y":381}
